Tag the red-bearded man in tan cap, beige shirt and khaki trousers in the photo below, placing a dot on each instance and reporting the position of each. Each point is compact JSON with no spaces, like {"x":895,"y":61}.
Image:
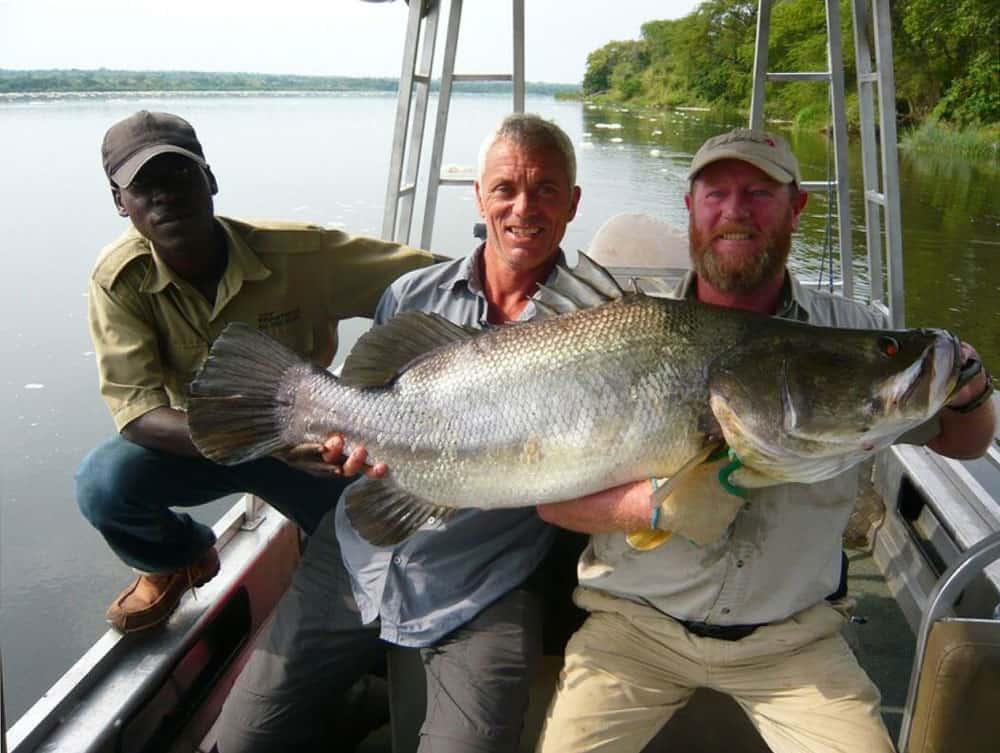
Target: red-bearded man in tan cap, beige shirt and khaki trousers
{"x":753,"y":610}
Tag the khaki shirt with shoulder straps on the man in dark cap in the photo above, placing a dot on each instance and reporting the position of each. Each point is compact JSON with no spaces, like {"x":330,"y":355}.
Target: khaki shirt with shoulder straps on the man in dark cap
{"x":295,"y":282}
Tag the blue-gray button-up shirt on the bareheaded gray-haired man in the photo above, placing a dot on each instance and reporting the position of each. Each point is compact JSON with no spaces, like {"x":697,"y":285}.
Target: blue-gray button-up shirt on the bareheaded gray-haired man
{"x":447,"y":572}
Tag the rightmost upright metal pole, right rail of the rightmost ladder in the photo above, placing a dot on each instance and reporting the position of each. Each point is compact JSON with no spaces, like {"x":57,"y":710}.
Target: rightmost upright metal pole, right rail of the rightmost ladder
{"x":890,"y":161}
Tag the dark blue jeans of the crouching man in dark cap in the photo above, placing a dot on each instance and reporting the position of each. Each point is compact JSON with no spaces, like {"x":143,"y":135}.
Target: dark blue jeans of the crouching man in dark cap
{"x":126,"y":492}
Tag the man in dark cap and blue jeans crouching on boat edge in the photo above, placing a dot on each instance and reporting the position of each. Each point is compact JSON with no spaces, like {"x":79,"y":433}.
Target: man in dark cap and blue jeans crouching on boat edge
{"x":159,"y":296}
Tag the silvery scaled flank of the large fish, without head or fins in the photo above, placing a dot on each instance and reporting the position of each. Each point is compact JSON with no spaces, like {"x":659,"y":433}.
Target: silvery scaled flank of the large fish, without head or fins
{"x":541,"y":412}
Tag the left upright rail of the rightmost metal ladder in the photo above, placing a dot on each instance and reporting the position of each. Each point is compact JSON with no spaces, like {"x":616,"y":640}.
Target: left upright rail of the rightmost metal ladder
{"x":869,"y":151}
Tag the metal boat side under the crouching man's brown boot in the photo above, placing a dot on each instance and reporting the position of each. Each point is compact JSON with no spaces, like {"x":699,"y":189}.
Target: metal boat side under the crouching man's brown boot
{"x":128,"y":690}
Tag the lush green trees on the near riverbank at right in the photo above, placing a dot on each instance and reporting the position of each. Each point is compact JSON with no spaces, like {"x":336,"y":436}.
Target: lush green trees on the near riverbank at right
{"x":947,"y":60}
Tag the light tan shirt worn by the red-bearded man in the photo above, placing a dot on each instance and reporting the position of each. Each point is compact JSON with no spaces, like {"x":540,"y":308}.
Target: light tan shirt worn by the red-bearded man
{"x":783,"y":551}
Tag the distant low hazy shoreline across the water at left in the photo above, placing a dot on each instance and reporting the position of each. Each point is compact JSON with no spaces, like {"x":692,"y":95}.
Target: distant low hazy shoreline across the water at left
{"x":108,"y":82}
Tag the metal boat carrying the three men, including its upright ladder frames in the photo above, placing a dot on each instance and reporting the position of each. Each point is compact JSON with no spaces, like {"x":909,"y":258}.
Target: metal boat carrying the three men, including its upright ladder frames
{"x":923,"y":544}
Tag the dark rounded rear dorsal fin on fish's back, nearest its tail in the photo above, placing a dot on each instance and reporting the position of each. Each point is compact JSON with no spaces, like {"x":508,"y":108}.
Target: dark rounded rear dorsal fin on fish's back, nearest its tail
{"x":384,"y":351}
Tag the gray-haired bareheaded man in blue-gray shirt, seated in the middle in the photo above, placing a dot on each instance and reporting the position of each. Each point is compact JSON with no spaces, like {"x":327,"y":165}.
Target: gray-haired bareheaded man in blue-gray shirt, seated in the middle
{"x":459,"y":590}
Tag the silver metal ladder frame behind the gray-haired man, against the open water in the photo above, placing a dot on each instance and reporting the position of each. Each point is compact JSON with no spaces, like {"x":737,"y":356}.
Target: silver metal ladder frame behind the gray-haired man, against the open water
{"x":414,"y":92}
